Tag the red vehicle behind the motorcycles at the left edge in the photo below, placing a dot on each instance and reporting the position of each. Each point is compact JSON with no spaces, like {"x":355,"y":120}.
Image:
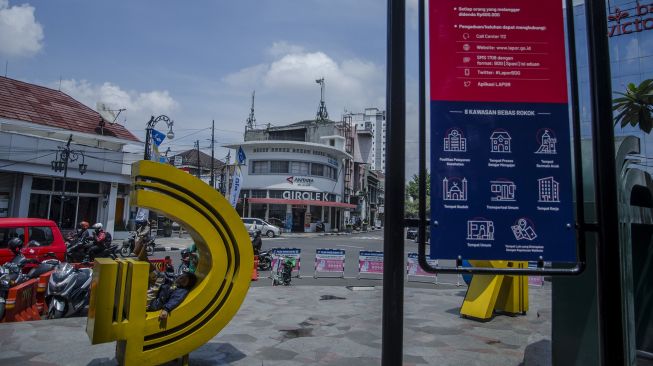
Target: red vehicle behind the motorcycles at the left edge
{"x":32,"y":231}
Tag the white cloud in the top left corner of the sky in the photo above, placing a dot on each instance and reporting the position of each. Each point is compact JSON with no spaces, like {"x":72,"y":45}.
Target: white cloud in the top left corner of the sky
{"x":20,"y":34}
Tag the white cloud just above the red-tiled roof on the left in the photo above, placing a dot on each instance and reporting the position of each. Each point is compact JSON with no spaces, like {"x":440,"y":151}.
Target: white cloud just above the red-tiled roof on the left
{"x":139,"y":105}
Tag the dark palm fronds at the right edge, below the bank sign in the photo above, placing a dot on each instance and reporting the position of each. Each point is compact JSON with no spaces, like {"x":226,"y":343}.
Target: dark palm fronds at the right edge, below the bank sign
{"x":635,"y":106}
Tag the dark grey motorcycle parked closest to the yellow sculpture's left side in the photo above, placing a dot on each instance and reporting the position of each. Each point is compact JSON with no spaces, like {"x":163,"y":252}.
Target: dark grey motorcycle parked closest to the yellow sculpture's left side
{"x":68,"y":290}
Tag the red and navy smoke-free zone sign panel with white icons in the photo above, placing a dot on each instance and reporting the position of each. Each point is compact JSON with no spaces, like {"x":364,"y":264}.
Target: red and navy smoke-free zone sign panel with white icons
{"x":501,"y":185}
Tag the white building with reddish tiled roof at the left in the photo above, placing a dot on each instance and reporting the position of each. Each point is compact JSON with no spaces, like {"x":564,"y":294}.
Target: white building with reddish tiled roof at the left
{"x":35,"y":124}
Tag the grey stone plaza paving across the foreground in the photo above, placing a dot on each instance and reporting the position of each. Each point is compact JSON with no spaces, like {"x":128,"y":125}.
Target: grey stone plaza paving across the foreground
{"x":319,"y":325}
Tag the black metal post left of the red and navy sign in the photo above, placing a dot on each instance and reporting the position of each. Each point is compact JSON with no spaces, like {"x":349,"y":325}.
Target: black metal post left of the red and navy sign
{"x":393,"y":240}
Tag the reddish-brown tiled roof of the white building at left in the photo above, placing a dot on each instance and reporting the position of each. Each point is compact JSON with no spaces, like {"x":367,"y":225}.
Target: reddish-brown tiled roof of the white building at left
{"x":44,"y":106}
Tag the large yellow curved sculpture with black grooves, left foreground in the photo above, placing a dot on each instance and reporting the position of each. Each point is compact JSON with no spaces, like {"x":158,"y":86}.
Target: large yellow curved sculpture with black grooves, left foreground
{"x":118,"y":291}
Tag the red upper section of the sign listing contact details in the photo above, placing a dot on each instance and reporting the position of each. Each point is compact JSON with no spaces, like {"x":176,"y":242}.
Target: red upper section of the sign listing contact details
{"x":497,"y":51}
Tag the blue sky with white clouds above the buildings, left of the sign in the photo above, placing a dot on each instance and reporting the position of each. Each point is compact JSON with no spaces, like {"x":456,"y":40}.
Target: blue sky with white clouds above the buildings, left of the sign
{"x":200,"y":61}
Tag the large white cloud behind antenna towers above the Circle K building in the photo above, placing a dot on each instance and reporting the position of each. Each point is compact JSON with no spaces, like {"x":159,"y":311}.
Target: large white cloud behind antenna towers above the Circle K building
{"x":286,"y":89}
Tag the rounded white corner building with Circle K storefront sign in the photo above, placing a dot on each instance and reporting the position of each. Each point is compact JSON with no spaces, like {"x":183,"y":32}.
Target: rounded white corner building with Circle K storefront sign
{"x":294,"y":176}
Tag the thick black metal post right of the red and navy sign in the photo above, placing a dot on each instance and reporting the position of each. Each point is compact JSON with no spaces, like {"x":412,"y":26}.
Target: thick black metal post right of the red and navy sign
{"x":610,"y":309}
